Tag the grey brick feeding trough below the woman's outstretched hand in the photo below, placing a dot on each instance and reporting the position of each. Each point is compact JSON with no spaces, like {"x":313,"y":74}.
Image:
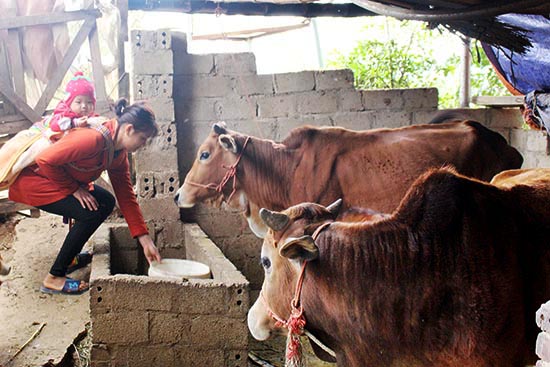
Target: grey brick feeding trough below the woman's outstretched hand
{"x":146,"y":321}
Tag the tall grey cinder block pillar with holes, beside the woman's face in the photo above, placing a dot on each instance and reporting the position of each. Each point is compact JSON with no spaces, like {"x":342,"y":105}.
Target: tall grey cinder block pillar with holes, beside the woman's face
{"x":157,"y":164}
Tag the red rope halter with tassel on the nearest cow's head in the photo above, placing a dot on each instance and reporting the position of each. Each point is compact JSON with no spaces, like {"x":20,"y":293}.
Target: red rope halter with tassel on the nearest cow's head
{"x":296,"y":322}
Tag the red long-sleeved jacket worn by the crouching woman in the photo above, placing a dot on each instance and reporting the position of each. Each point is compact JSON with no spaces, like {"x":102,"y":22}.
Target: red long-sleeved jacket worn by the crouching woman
{"x":53,"y":177}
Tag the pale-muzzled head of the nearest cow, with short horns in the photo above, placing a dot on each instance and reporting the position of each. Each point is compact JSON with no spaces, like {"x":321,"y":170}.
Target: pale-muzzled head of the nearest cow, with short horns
{"x":287,"y":245}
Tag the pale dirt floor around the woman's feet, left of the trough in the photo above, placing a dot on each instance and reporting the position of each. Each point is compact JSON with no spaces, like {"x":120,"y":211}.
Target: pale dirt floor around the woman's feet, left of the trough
{"x":29,"y":245}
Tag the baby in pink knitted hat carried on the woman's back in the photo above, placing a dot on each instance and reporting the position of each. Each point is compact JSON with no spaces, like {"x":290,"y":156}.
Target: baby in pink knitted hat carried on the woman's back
{"x":77,"y":109}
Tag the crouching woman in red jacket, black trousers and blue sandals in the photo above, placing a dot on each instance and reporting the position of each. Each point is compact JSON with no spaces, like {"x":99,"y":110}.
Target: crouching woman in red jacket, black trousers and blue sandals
{"x":61,"y":183}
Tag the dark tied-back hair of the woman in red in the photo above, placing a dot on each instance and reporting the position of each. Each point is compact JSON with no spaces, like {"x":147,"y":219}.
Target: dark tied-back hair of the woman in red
{"x":139,"y":115}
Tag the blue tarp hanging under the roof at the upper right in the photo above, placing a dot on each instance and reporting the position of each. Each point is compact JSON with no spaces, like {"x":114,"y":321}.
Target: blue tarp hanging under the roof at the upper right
{"x":531,"y":71}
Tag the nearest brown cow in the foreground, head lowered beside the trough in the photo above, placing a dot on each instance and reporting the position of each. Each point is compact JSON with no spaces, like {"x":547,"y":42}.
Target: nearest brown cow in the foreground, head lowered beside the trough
{"x":443,"y":281}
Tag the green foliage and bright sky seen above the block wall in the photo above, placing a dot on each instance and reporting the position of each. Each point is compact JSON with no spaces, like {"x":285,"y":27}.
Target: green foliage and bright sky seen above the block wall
{"x":403,"y":55}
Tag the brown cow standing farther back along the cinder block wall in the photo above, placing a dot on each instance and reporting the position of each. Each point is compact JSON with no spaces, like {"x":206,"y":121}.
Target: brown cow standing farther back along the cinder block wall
{"x":371,"y":168}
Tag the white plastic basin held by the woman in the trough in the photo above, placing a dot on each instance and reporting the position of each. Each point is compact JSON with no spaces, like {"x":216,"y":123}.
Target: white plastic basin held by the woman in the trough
{"x":178,"y":269}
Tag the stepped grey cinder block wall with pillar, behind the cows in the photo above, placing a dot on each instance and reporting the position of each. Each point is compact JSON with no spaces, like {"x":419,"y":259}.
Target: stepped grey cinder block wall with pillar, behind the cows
{"x":200,"y":89}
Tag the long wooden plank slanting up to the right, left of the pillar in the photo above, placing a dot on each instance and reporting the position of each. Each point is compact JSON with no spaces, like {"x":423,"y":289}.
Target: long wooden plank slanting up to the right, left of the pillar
{"x":61,"y":70}
